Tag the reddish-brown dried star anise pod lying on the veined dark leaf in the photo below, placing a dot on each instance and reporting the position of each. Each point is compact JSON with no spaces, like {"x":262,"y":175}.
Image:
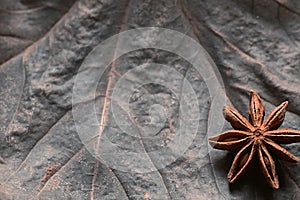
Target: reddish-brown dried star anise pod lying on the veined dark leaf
{"x":256,"y":139}
